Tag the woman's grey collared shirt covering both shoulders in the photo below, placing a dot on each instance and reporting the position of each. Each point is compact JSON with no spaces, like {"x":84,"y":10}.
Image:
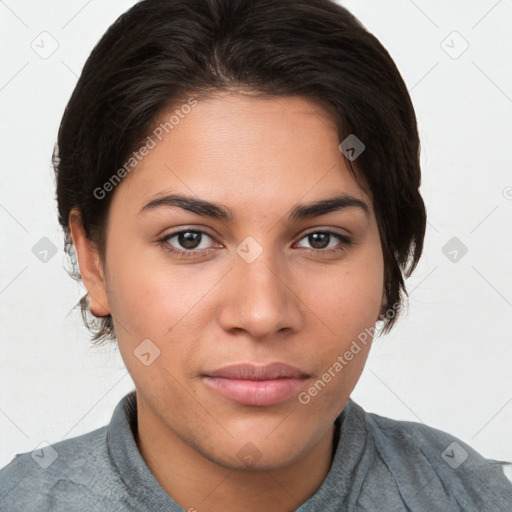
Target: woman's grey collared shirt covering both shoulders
{"x":380,"y":464}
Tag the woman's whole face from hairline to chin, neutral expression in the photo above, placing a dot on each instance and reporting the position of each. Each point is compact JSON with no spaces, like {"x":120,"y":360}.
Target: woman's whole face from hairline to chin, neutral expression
{"x":255,"y":281}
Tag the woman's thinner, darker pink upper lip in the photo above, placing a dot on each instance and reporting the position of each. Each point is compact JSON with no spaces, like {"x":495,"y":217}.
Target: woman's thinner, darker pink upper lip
{"x":250,"y":371}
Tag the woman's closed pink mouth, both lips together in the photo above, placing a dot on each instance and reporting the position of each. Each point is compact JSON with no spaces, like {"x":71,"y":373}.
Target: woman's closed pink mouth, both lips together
{"x":257,"y":385}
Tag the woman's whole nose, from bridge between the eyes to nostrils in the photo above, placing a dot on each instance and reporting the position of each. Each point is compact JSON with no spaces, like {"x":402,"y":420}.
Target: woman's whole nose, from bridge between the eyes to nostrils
{"x":260,"y":301}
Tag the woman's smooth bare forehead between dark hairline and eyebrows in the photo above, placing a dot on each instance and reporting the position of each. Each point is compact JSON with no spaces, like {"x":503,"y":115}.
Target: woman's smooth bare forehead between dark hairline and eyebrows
{"x":242,"y":151}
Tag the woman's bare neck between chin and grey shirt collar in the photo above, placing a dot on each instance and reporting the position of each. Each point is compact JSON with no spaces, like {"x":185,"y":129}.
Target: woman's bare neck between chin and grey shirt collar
{"x":199,"y":484}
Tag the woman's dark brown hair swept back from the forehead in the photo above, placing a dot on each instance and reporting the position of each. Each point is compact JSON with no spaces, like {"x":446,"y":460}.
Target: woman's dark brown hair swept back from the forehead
{"x":161,"y":52}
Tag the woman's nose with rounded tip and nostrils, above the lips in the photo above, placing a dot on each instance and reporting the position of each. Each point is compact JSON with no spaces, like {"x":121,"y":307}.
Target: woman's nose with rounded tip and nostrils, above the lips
{"x":260,"y":298}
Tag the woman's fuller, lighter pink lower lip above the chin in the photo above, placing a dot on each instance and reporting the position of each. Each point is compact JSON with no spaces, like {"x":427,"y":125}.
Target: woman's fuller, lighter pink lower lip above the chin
{"x":256,"y":392}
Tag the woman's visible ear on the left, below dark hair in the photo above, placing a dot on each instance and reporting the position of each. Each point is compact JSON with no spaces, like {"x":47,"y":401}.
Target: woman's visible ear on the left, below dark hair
{"x":91,"y":268}
